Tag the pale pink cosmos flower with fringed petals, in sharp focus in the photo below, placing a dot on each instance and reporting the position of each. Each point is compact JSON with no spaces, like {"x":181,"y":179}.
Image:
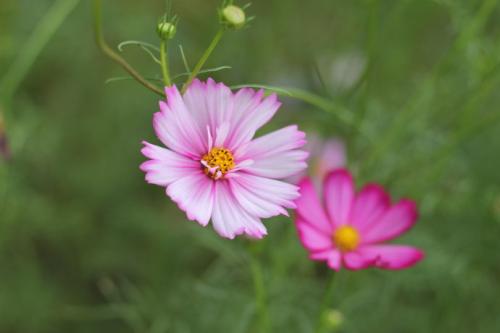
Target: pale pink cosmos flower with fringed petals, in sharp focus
{"x":213,"y":168}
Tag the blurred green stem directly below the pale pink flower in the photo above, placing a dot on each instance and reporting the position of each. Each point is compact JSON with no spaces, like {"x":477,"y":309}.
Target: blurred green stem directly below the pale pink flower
{"x":260,"y":294}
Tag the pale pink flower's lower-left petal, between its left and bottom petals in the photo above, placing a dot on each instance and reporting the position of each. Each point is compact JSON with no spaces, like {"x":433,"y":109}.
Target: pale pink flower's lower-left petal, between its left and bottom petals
{"x":194,"y":195}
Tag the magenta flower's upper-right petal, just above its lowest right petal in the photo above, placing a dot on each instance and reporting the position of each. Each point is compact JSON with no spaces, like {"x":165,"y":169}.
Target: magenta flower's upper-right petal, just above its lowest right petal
{"x":396,"y":220}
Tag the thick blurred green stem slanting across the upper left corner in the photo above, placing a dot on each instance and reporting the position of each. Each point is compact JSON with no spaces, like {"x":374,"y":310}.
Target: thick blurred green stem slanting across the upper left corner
{"x":44,"y":30}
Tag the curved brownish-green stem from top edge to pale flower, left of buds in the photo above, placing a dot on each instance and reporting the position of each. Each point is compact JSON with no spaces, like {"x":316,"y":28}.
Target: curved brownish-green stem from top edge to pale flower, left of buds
{"x":101,"y":42}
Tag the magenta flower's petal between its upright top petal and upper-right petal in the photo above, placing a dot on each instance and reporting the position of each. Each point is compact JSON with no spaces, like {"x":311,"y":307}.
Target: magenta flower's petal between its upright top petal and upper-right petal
{"x":370,"y":203}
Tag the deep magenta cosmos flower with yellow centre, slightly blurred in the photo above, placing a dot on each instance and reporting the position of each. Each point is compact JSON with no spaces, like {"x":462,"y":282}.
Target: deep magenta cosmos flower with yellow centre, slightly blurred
{"x":349,"y":229}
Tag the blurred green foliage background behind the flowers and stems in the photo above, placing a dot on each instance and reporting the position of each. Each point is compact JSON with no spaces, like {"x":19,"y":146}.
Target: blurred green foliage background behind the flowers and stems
{"x":87,"y":246}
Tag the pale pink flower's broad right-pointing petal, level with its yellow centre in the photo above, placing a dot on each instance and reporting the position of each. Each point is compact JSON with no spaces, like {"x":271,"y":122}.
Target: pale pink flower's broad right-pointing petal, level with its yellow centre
{"x":275,"y":154}
